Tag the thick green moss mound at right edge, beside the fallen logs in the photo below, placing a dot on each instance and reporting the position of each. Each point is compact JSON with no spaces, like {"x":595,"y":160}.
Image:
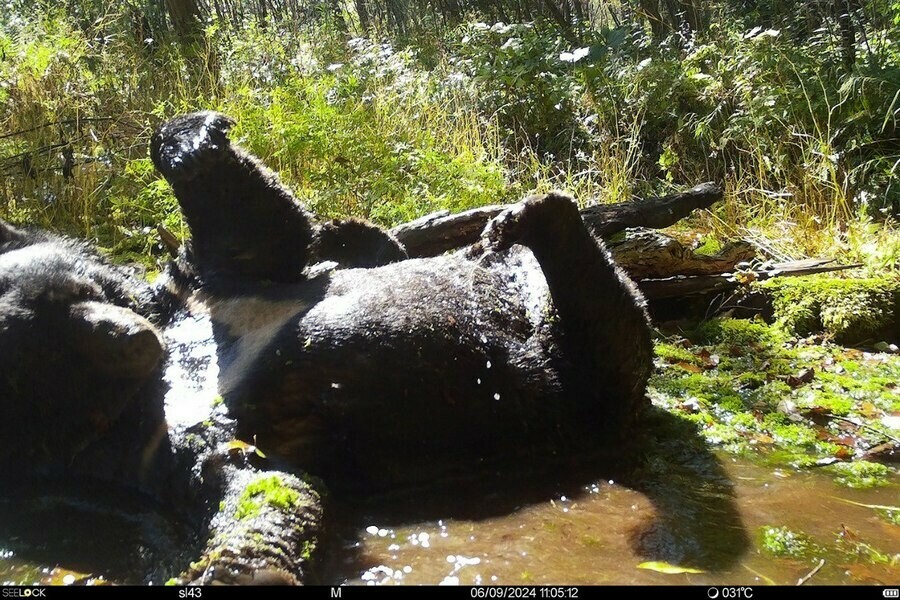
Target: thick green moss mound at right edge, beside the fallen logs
{"x":850,"y":310}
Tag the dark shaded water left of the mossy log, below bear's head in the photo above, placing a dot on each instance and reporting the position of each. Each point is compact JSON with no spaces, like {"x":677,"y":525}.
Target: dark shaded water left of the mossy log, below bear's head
{"x":91,"y":534}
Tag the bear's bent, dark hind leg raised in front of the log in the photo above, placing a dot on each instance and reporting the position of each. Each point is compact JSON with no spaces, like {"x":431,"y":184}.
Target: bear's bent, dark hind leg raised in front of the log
{"x":604,"y":325}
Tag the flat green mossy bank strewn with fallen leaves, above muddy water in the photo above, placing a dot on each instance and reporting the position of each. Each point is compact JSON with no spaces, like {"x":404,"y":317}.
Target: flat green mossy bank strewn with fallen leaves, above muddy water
{"x":758,"y":391}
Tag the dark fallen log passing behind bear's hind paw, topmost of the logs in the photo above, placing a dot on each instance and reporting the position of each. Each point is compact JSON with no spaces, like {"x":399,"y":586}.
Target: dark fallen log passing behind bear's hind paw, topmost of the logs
{"x":441,"y":232}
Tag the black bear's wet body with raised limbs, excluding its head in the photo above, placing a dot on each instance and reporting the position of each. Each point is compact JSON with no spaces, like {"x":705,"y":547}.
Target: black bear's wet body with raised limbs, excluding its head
{"x":531,"y":345}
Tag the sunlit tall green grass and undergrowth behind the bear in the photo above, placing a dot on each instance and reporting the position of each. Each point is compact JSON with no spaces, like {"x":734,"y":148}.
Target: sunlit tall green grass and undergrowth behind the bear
{"x":488,"y":115}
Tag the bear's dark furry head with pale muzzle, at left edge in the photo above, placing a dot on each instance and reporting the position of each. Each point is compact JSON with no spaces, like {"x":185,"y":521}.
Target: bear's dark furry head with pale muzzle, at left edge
{"x":77,"y":335}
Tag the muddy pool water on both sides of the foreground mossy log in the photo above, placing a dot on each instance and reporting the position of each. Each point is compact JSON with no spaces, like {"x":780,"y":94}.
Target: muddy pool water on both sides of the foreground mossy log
{"x":708,"y":516}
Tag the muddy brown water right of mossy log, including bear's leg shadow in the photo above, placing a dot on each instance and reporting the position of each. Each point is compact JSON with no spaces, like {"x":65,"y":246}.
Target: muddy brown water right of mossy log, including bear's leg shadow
{"x":680,"y":504}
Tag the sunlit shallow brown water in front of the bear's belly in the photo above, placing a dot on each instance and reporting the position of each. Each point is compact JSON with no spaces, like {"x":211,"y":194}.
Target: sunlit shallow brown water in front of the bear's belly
{"x":601,"y":532}
